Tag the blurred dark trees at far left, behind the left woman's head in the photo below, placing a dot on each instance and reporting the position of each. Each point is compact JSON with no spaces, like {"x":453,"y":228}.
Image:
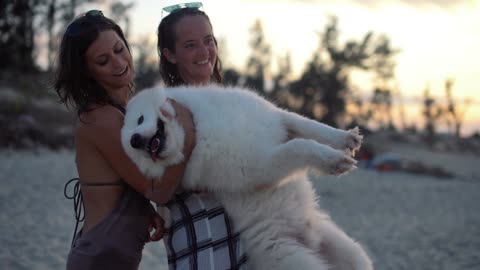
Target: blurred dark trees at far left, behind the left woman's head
{"x":21,"y":21}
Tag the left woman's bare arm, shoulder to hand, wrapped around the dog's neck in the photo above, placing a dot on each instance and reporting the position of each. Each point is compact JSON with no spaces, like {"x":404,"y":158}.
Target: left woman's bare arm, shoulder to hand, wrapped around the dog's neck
{"x":103,"y":131}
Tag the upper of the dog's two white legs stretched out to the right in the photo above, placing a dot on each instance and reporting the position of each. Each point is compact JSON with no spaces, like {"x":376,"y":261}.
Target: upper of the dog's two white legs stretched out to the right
{"x":299,"y":126}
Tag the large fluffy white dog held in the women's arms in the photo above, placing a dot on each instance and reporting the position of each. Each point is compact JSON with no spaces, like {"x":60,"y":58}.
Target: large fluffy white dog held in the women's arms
{"x":253,"y":156}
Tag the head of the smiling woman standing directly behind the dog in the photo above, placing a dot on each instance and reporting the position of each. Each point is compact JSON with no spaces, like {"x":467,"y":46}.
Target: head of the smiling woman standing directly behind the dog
{"x":188,"y":49}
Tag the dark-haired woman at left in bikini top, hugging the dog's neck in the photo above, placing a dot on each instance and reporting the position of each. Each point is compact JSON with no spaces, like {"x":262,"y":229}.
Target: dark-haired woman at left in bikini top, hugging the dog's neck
{"x":95,"y":74}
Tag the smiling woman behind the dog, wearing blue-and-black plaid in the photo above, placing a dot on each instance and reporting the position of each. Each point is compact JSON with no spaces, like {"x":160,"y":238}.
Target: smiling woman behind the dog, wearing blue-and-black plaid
{"x":202,"y":235}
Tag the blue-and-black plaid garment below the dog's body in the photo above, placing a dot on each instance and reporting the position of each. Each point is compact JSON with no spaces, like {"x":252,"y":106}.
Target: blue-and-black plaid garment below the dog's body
{"x":201,"y":235}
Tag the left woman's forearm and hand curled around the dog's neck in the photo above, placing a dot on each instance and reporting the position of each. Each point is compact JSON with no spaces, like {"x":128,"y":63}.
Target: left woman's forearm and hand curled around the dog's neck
{"x":162,"y":189}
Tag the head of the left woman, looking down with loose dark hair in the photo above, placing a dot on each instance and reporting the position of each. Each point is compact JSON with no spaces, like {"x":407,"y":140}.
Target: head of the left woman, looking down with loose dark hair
{"x":93,"y":51}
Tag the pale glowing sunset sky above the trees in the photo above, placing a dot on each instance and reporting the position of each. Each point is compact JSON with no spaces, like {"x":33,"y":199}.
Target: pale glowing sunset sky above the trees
{"x":437,"y":39}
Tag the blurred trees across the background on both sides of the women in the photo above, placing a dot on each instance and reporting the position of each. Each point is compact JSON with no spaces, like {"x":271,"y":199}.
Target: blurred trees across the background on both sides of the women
{"x":322,"y":91}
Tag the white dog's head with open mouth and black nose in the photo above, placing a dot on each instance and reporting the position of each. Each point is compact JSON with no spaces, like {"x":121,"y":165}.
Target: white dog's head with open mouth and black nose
{"x":150,"y":135}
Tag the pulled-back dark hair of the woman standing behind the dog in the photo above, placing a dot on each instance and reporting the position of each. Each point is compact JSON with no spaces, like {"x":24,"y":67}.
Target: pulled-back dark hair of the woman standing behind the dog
{"x":166,"y":38}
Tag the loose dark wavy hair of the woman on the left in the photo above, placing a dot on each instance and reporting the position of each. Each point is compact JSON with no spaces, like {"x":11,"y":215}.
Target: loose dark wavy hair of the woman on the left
{"x":73,"y":83}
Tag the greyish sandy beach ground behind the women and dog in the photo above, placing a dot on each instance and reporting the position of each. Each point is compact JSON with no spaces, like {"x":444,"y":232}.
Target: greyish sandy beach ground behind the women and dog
{"x":404,"y":221}
